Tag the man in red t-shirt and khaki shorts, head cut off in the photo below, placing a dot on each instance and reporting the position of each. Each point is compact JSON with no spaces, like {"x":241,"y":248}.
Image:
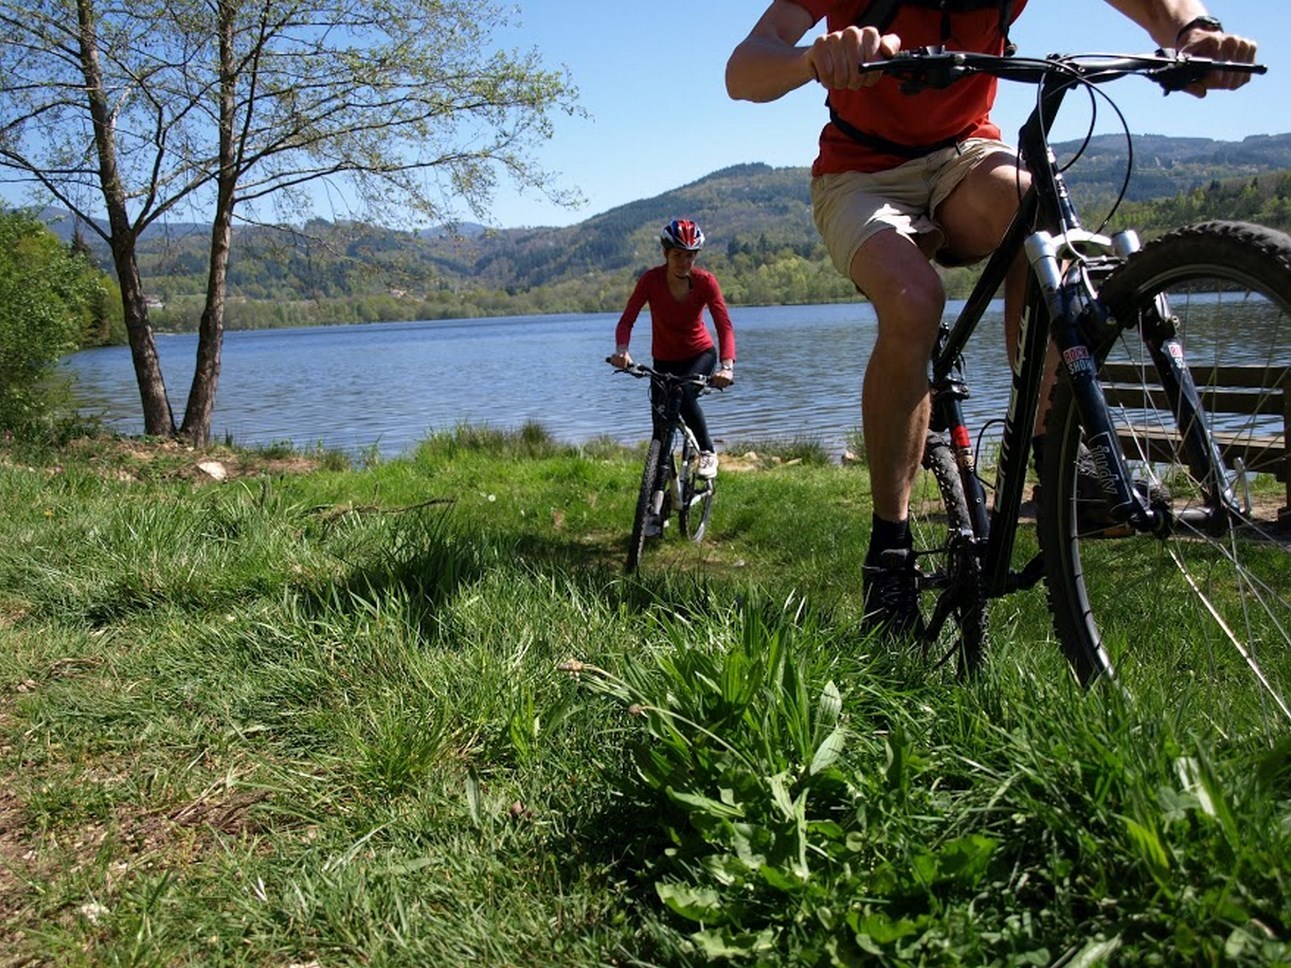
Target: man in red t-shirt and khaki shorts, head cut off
{"x":904,"y":180}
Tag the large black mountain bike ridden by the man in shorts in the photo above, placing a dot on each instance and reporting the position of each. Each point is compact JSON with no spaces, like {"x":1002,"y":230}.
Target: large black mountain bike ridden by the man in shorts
{"x":1182,"y":531}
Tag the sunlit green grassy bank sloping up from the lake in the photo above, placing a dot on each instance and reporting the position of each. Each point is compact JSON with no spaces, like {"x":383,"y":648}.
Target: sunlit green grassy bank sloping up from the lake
{"x":415,"y":714}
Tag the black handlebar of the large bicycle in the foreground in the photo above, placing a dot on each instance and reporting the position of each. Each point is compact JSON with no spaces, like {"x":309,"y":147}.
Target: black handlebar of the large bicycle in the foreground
{"x":937,"y":68}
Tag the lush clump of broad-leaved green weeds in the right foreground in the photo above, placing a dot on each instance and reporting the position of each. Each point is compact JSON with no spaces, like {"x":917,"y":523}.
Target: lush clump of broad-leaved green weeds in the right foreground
{"x":891,"y":819}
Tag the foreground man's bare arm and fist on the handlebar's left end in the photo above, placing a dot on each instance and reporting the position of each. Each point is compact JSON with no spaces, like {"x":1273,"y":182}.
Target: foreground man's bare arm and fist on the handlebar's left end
{"x":769,"y":65}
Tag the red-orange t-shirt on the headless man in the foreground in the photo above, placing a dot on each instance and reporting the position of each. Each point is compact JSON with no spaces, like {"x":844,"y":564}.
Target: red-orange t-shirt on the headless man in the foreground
{"x":924,"y":118}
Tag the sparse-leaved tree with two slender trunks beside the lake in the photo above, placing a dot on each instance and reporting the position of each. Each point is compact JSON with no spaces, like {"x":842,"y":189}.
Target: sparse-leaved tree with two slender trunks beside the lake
{"x":141,"y":110}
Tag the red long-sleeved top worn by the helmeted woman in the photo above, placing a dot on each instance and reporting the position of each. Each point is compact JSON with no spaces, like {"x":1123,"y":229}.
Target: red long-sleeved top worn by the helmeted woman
{"x":677,"y":326}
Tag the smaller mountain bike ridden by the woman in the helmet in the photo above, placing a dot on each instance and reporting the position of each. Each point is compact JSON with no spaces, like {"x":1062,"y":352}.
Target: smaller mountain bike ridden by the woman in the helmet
{"x":672,"y":476}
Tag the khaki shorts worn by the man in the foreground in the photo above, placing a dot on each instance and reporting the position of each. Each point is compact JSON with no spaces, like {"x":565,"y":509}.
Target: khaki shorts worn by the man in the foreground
{"x":851,"y":207}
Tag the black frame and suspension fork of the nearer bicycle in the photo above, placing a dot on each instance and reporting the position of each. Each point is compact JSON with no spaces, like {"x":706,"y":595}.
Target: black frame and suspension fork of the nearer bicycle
{"x":1059,"y":305}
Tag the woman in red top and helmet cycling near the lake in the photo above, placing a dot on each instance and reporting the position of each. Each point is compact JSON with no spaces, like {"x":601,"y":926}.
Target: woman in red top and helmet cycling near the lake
{"x":677,"y":294}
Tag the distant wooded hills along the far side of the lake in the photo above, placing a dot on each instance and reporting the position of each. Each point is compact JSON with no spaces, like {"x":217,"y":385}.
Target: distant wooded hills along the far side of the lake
{"x":742,"y":208}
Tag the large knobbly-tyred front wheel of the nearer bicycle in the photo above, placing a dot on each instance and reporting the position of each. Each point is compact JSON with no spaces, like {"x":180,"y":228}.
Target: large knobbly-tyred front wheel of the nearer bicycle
{"x":1204,"y":611}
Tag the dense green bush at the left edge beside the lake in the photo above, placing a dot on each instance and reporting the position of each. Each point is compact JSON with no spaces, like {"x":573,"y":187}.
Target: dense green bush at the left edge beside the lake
{"x":50,"y":300}
